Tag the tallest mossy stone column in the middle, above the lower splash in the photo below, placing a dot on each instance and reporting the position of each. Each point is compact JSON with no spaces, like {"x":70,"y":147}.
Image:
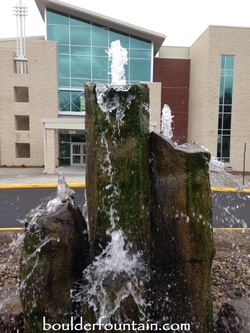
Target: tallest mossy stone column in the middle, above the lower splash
{"x":117,"y":169}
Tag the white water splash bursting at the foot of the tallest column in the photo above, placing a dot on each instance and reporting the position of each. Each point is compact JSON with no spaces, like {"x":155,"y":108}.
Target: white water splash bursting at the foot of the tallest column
{"x":115,"y":268}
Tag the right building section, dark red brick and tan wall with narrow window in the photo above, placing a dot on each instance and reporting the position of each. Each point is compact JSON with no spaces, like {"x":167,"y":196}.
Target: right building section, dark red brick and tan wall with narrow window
{"x":212,"y":90}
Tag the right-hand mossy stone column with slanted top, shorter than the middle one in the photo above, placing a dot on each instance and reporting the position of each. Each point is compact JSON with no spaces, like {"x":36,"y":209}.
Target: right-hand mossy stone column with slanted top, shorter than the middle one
{"x":181,"y":235}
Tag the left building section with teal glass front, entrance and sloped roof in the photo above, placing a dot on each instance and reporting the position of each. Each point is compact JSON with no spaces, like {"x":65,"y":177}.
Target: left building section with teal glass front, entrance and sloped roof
{"x":43,"y":107}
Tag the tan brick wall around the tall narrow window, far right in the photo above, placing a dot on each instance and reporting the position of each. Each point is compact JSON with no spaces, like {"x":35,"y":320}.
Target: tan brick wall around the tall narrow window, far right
{"x":205,"y":56}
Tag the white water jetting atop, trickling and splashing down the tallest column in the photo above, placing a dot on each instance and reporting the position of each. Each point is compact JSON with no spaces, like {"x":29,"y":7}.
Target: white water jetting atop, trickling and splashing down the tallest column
{"x":115,"y":275}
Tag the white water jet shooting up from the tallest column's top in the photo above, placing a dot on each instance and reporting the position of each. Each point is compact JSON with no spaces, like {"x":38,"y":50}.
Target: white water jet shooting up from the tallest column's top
{"x":119,"y":57}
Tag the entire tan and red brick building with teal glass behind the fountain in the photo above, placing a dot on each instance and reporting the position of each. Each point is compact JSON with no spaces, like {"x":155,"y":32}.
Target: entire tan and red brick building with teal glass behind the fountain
{"x":42,"y":109}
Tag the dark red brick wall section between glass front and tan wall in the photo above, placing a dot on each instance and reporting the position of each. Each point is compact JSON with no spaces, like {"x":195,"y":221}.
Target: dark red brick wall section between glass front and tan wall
{"x":174,"y":76}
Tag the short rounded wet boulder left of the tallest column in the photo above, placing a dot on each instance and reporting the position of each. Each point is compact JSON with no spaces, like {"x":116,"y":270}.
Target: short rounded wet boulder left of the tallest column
{"x":54,"y":254}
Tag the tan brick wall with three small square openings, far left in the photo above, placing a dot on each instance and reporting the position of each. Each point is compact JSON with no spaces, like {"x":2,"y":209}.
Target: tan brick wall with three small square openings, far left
{"x":41,"y":81}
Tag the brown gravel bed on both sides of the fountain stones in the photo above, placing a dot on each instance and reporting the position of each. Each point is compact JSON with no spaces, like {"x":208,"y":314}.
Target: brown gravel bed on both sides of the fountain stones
{"x":230,"y":273}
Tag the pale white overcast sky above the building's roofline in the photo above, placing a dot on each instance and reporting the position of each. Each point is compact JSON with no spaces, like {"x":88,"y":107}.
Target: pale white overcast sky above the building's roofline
{"x":182,"y":21}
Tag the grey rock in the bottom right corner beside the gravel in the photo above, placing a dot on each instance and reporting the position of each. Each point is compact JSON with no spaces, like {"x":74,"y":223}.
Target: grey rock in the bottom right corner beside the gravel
{"x":234,"y":317}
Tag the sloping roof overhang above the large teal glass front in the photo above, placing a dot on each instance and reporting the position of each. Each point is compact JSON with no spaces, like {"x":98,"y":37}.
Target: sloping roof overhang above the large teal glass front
{"x":106,"y":21}
